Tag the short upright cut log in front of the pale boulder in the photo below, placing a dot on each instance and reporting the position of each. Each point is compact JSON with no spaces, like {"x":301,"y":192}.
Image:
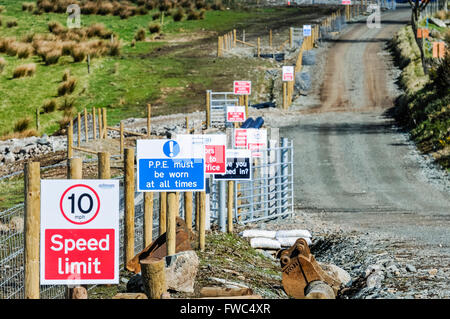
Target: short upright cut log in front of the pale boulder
{"x":154,"y":277}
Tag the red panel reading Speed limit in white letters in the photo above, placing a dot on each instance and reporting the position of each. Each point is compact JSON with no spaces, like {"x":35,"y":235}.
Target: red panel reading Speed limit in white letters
{"x":79,"y":254}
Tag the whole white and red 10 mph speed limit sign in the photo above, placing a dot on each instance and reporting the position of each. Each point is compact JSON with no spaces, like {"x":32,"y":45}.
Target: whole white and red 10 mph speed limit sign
{"x":79,"y":232}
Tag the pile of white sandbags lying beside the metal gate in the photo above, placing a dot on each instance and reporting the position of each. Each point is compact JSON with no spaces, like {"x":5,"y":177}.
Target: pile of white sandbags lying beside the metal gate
{"x":275,"y":239}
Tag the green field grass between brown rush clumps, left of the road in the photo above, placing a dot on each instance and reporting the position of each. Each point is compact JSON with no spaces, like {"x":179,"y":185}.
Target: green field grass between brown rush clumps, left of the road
{"x":123,"y":84}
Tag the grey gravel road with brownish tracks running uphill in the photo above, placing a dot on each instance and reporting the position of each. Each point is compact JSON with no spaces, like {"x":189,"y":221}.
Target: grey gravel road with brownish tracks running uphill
{"x":355,"y":168}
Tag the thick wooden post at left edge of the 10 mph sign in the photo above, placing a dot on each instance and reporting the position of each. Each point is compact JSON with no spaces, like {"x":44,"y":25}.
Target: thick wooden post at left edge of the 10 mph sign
{"x":32,"y":220}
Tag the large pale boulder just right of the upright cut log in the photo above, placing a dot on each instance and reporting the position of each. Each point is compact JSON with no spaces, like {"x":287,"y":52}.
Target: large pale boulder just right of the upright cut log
{"x":181,"y":270}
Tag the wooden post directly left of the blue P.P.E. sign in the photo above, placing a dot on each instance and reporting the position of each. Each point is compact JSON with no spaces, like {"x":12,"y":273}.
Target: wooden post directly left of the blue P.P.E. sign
{"x":129,"y":204}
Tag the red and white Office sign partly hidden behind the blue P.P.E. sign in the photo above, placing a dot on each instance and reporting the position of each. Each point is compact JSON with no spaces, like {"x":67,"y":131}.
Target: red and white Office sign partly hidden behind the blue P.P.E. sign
{"x":215,"y":145}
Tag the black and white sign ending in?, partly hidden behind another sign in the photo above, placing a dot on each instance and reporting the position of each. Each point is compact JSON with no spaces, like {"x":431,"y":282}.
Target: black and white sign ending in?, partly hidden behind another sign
{"x":238,"y":166}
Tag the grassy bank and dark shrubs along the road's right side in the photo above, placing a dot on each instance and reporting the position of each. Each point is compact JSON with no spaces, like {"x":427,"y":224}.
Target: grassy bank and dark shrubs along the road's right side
{"x":425,"y":107}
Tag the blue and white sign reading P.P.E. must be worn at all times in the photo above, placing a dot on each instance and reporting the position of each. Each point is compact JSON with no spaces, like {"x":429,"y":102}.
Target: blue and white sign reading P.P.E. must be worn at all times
{"x":170,"y":166}
